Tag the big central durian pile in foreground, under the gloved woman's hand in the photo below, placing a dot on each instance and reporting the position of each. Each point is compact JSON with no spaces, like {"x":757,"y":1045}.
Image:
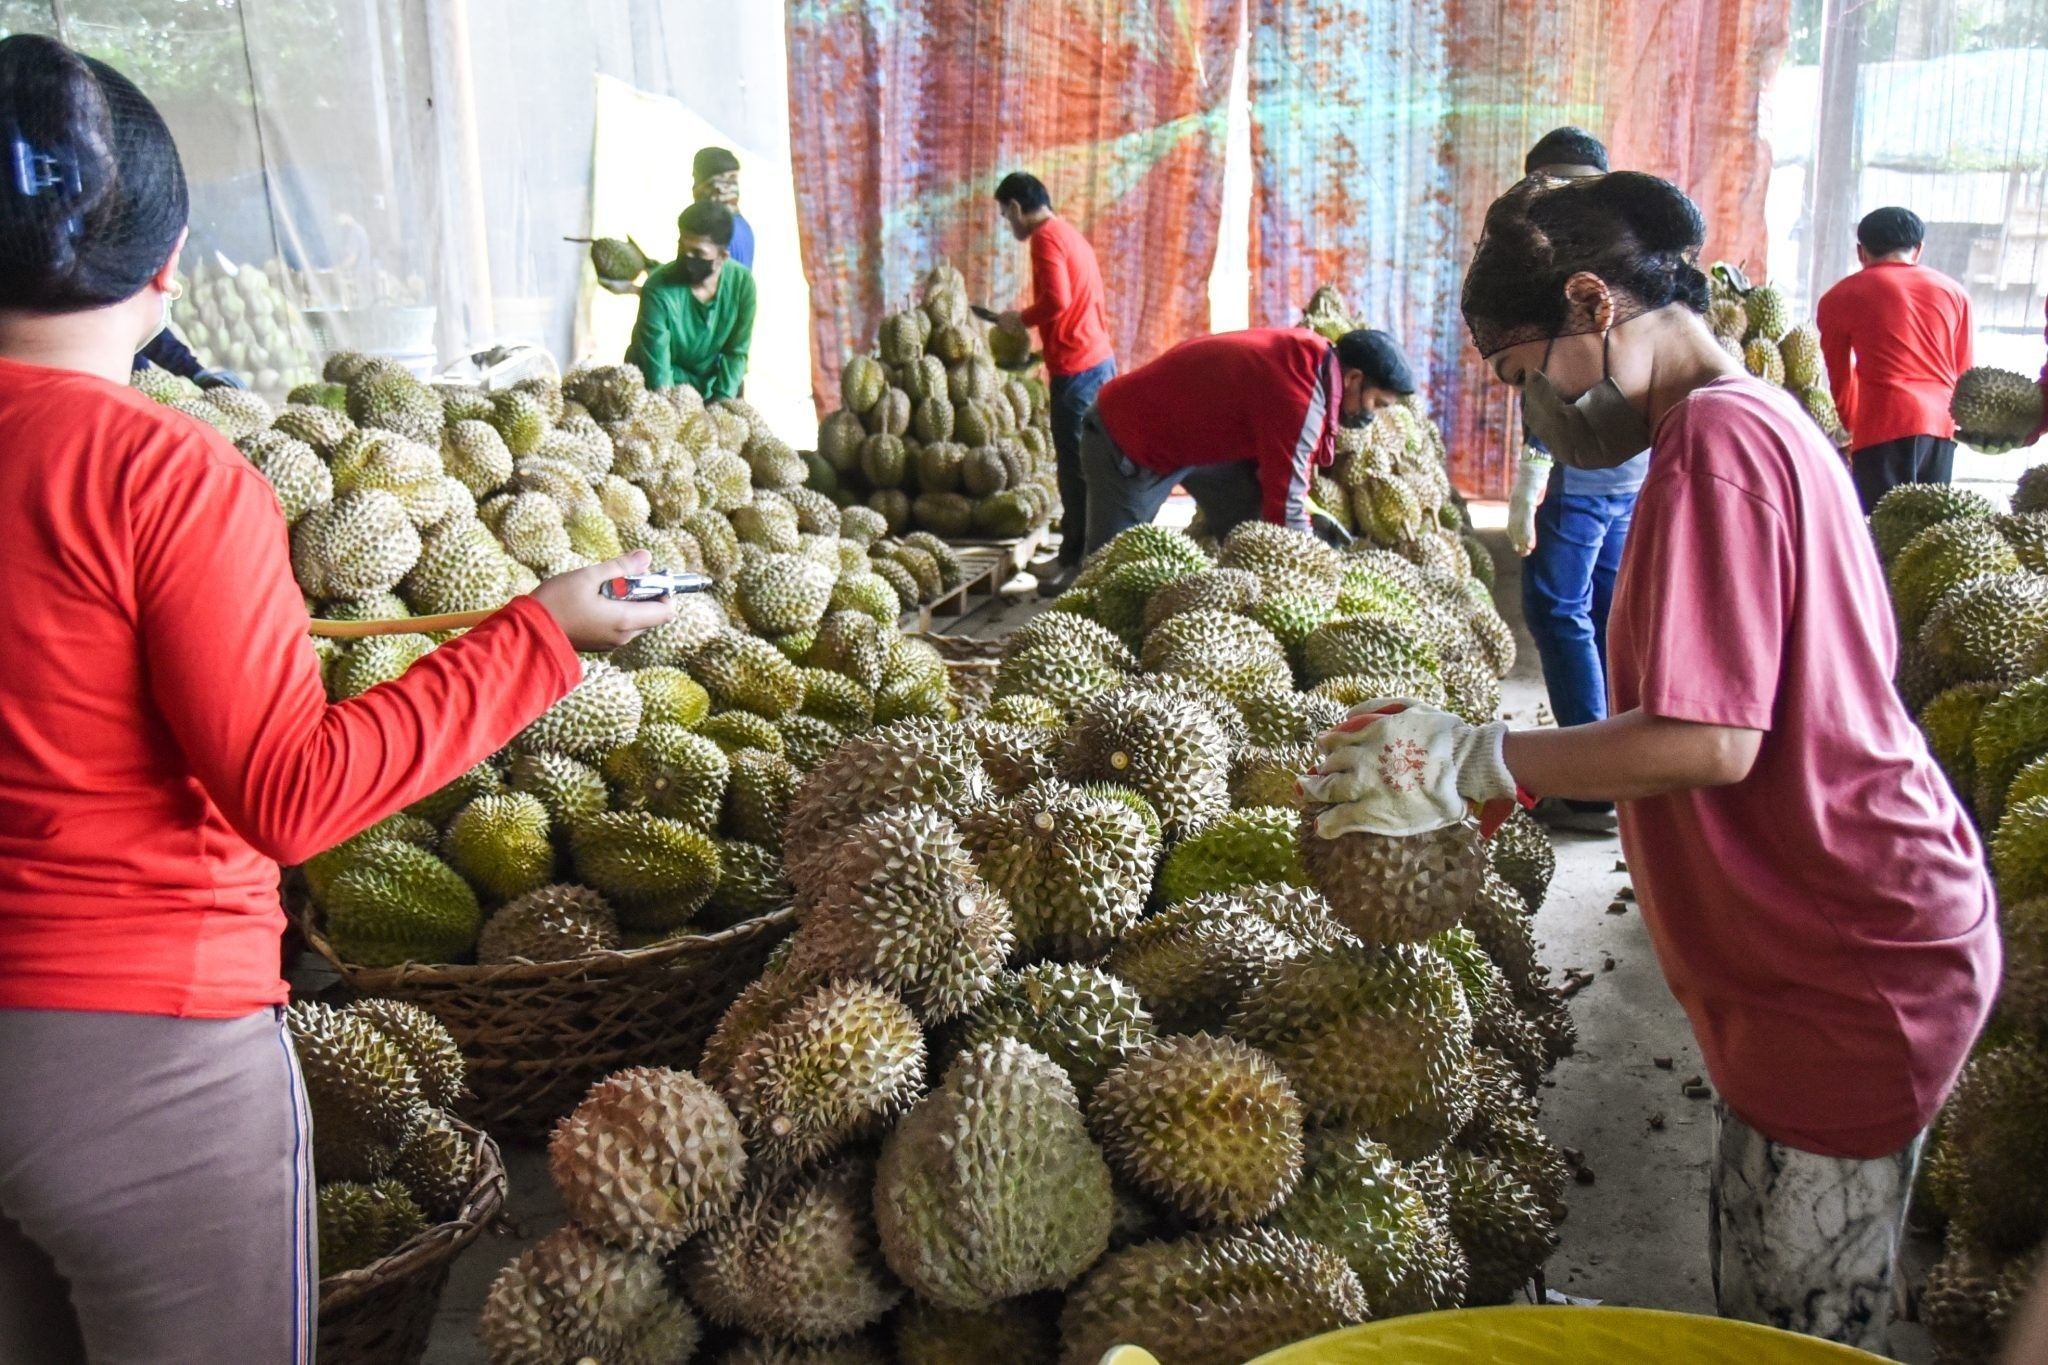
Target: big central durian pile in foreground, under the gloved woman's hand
{"x":1084,"y":1034}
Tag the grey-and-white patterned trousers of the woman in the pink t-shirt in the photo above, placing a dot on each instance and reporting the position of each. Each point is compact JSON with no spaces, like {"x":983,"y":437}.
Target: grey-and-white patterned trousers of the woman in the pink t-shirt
{"x":1805,"y":1243}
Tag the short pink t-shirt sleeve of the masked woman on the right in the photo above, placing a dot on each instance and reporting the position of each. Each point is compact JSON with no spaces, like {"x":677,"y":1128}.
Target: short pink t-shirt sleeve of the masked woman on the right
{"x":1713,"y":640}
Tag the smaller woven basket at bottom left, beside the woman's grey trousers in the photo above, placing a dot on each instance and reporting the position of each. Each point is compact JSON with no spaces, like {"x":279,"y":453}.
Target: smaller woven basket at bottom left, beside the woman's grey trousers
{"x":382,"y":1315}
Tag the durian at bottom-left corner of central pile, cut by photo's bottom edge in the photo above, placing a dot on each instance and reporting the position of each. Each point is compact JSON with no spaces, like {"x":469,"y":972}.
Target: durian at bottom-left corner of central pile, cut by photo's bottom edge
{"x":570,"y":1298}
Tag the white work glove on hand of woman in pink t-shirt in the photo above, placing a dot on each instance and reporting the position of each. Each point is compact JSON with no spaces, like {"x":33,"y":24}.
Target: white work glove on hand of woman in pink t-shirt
{"x":1402,"y":768}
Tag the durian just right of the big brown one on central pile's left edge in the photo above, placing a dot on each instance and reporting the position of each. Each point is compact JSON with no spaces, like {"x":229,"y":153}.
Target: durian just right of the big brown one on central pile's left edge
{"x":1076,"y":869}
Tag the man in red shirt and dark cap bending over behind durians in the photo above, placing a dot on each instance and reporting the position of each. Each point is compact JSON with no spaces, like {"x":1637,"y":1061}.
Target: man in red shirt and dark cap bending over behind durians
{"x":1240,"y":419}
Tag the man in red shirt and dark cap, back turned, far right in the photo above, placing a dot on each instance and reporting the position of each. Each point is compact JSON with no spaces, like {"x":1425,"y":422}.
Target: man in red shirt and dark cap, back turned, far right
{"x":1908,"y":328}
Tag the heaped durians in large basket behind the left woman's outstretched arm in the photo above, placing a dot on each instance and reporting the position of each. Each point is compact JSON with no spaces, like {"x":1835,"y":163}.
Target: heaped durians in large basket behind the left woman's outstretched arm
{"x":648,"y":801}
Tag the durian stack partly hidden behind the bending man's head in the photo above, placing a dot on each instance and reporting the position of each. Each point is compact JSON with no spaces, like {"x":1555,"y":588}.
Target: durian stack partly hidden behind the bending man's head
{"x":1390,"y":484}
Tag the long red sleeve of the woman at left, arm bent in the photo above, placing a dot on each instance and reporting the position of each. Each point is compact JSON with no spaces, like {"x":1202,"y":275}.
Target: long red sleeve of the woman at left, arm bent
{"x":224,"y":635}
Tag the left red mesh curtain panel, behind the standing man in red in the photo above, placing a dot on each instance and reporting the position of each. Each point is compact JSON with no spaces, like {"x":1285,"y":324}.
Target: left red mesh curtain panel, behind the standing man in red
{"x":906,"y":114}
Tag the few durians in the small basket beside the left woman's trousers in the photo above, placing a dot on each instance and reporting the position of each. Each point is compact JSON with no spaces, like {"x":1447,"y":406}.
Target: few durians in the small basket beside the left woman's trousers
{"x":380,"y":1082}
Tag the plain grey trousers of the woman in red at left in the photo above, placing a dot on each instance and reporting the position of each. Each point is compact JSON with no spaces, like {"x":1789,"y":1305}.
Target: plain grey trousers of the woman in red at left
{"x":157,"y":1192}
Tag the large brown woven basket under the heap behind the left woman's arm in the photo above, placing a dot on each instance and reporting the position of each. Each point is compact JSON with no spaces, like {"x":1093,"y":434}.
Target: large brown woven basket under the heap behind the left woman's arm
{"x":538,"y":1037}
